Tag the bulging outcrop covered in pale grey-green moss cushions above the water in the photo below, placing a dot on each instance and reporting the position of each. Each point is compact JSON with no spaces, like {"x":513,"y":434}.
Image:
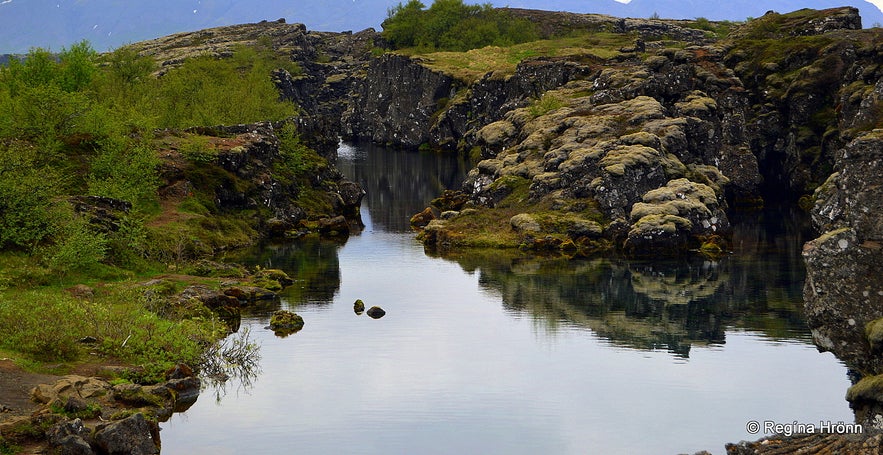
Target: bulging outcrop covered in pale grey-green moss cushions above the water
{"x":645,"y":127}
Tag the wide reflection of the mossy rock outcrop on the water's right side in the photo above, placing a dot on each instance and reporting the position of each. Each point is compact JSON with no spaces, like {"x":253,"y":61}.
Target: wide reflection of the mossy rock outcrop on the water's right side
{"x":669,"y":305}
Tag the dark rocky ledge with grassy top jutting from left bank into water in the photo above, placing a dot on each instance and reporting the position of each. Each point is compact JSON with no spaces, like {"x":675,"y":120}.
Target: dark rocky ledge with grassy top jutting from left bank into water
{"x":242,"y":167}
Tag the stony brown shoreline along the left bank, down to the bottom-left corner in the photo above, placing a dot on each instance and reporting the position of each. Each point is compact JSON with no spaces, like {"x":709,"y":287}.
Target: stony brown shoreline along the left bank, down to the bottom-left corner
{"x":112,"y":411}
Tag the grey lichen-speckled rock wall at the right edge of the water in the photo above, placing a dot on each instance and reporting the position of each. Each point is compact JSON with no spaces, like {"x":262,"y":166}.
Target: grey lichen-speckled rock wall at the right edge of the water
{"x":843,"y":292}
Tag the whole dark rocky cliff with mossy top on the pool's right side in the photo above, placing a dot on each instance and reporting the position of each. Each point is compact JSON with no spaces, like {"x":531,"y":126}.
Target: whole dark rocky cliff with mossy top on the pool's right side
{"x":663,"y":137}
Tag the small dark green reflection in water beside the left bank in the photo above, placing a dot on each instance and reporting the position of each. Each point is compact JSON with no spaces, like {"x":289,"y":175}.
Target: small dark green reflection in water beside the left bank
{"x":311,"y":262}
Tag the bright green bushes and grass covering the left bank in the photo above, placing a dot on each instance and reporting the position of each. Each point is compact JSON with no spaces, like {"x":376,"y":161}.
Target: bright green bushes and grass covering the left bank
{"x":80,"y":123}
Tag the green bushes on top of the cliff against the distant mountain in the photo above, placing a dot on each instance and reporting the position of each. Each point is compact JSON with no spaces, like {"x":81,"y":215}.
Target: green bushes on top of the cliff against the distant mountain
{"x":454,"y":26}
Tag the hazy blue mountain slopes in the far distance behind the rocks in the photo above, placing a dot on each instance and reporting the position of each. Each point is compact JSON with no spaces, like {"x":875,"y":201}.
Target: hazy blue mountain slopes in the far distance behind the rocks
{"x":108,"y":24}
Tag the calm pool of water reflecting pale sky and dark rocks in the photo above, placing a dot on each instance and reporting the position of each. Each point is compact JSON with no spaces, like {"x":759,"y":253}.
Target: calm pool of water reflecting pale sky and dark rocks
{"x":497,"y":353}
